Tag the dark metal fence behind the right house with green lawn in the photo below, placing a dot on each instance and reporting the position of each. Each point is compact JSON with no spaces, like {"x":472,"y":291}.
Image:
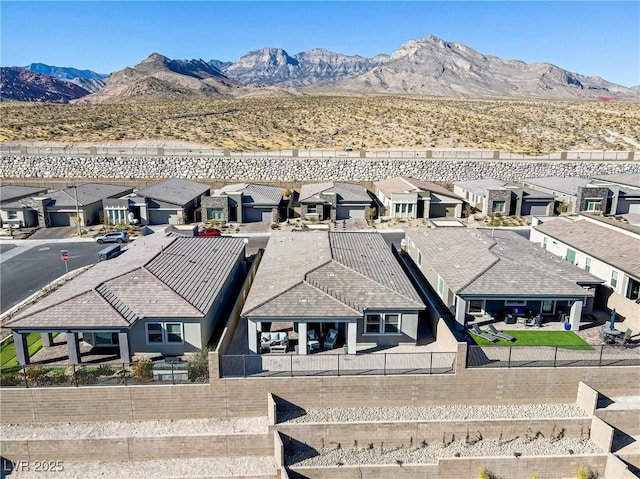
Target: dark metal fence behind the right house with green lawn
{"x":550,"y":357}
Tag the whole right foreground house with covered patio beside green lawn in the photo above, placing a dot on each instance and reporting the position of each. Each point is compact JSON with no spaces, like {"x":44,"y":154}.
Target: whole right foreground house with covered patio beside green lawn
{"x":482,"y":273}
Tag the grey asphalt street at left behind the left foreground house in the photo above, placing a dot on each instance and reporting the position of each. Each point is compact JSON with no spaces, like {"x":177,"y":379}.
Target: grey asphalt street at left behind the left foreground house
{"x":32,"y":267}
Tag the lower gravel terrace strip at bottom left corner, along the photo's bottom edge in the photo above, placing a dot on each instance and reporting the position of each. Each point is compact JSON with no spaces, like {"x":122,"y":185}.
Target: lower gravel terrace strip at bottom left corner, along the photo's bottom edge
{"x":169,"y":468}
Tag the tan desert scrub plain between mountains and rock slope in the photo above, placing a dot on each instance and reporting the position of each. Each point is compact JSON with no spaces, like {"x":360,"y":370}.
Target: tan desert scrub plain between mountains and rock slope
{"x":332,"y":122}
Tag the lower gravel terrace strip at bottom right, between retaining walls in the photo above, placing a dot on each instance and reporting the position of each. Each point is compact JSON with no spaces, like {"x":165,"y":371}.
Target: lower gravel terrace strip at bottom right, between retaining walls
{"x":429,"y":453}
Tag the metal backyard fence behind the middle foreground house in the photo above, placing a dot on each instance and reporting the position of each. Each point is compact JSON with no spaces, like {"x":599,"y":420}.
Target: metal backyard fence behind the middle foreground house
{"x":290,"y":365}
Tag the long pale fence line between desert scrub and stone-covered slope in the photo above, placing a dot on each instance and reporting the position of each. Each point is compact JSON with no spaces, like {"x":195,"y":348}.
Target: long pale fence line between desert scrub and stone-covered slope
{"x":317,"y":153}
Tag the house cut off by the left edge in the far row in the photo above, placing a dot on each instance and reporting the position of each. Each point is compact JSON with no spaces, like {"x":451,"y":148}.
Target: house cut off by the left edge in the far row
{"x":17,"y":207}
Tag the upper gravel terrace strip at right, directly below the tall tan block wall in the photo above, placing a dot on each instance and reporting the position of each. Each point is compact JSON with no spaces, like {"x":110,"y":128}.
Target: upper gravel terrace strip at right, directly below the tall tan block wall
{"x":430,"y":413}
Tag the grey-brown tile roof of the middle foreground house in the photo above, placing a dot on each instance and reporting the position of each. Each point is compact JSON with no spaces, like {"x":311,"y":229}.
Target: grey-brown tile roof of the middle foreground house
{"x":357,"y":271}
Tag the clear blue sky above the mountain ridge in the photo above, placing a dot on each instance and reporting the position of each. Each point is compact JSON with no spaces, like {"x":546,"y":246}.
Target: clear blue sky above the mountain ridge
{"x":592,"y":38}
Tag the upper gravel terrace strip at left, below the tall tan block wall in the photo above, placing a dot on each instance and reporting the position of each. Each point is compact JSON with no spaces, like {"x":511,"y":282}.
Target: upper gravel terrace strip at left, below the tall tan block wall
{"x":115,"y":429}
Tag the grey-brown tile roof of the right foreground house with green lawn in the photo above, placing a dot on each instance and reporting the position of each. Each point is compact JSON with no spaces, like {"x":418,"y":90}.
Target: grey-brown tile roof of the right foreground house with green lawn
{"x":472,"y":262}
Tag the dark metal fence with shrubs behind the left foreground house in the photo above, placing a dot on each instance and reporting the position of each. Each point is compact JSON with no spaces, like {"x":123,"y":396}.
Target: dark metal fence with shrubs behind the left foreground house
{"x":140,"y":373}
